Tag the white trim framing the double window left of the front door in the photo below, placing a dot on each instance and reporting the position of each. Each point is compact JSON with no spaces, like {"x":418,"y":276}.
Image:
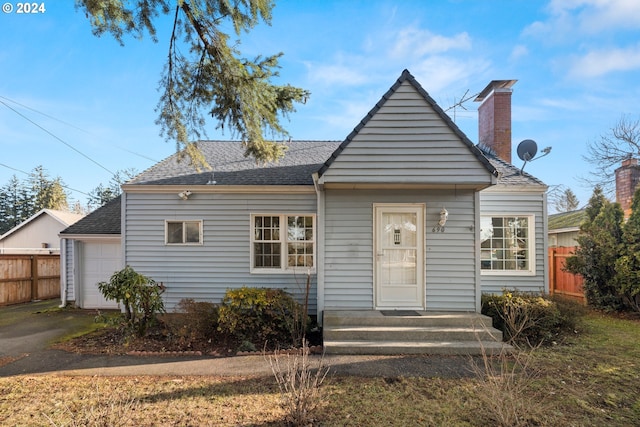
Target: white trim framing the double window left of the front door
{"x":284,"y":269}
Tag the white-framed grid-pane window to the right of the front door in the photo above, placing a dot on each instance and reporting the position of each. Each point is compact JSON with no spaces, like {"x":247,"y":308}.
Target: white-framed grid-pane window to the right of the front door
{"x":507,"y":244}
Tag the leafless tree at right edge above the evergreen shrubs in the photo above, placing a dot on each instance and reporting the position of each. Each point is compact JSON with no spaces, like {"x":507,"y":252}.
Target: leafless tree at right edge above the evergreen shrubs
{"x":607,"y":153}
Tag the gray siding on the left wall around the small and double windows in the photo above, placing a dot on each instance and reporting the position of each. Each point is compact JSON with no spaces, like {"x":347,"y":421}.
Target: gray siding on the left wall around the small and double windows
{"x":204,"y":272}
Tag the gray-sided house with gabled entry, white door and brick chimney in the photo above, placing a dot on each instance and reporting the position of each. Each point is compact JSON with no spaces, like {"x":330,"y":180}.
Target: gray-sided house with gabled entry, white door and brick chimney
{"x":405,"y":213}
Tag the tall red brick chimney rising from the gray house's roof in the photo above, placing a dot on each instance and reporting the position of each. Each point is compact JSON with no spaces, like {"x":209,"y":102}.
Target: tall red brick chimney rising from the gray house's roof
{"x":494,"y":117}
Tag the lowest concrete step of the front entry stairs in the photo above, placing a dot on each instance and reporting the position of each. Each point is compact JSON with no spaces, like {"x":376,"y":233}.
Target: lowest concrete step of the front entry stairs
{"x":471,"y":348}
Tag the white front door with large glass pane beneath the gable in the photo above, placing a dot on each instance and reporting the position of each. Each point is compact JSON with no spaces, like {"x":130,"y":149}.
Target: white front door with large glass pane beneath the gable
{"x":399,"y":256}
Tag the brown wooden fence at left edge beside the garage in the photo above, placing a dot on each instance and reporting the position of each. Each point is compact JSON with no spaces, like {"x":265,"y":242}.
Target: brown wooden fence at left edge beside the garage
{"x":25,"y":278}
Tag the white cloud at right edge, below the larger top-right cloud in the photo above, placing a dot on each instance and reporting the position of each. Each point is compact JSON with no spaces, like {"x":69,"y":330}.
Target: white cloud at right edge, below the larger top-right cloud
{"x":597,"y":63}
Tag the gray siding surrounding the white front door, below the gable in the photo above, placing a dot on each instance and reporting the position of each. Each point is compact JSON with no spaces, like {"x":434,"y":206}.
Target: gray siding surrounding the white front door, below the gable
{"x":449,"y":256}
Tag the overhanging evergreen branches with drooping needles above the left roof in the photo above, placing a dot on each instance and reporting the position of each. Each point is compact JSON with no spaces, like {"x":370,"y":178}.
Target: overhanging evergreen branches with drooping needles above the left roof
{"x":205,"y":71}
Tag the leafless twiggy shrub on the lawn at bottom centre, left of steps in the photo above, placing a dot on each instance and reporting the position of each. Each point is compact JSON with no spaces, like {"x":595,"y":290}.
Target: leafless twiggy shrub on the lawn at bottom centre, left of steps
{"x":299,"y":382}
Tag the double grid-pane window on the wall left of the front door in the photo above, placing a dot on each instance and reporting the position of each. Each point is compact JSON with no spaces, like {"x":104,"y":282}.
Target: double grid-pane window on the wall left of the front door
{"x":282,"y":242}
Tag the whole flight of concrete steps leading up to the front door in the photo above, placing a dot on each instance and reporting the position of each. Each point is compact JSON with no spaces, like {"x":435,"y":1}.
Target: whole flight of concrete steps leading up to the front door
{"x":372,"y":332}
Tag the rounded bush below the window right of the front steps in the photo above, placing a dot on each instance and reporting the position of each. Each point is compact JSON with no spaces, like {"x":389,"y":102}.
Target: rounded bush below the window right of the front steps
{"x":528,"y":318}
